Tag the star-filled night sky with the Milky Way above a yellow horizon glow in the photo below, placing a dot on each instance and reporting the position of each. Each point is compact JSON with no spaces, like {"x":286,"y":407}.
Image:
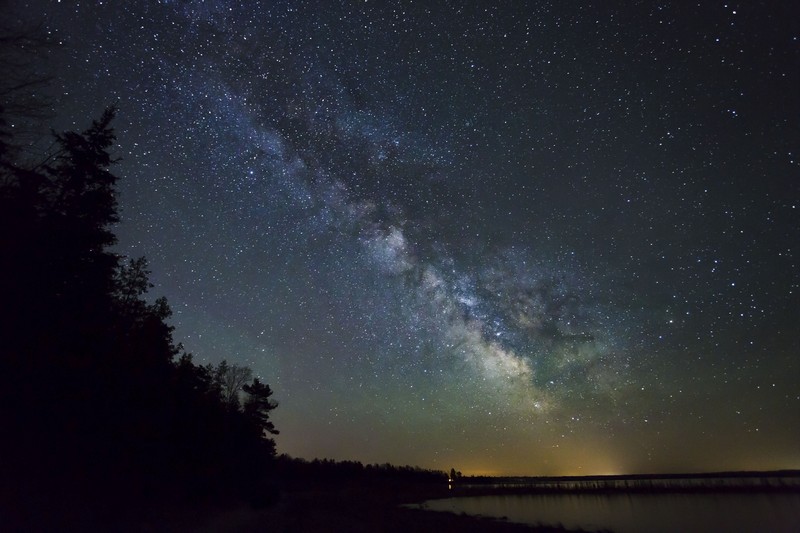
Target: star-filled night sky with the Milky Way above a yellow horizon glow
{"x":531,"y":238}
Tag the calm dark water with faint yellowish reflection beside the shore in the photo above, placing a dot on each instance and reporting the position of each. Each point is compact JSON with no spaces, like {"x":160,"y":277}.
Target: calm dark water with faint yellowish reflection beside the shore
{"x":633,"y":513}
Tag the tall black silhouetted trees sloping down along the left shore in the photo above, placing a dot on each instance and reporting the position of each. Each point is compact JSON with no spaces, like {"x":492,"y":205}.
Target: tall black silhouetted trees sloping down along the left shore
{"x":96,"y":398}
